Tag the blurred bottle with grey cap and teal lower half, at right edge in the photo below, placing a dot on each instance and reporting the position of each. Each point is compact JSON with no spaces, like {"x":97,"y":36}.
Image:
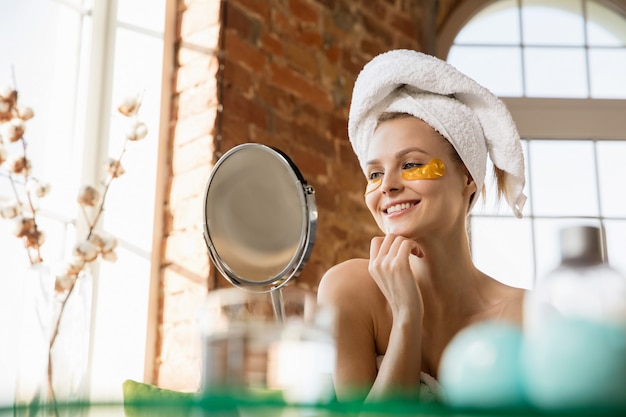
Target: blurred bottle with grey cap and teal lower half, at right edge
{"x":574,"y":353}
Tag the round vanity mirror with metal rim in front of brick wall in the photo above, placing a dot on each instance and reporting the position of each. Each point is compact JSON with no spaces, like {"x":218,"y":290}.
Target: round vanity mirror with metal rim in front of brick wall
{"x":259,"y":217}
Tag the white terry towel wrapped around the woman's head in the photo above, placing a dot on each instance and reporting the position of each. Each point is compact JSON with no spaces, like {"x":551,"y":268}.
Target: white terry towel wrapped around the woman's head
{"x":469,"y":116}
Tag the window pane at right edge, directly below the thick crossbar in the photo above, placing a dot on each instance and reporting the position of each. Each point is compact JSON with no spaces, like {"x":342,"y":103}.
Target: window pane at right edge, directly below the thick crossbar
{"x":612,"y":172}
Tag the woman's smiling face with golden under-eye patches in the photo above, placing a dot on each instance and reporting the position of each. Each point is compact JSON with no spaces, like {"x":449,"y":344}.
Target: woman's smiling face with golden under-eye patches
{"x":415,"y":207}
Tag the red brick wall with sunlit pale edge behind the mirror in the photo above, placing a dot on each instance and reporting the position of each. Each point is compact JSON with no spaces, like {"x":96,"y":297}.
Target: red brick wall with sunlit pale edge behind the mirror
{"x":286,"y":80}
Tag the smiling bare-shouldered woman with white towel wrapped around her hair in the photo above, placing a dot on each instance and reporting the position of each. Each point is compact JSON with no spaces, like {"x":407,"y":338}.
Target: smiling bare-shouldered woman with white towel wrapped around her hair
{"x":422,"y":132}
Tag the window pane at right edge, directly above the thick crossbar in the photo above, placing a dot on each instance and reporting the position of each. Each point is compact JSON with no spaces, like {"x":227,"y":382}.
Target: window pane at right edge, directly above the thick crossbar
{"x":607,"y":68}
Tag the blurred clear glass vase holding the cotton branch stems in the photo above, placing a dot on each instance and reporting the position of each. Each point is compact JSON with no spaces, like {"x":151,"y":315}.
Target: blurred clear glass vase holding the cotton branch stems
{"x":54,"y":344}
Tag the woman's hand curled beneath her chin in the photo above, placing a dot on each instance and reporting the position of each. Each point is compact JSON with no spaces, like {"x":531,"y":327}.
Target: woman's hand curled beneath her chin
{"x":390,"y":267}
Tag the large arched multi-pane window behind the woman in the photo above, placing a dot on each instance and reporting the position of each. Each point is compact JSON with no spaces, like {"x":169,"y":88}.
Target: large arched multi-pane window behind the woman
{"x":559,"y":66}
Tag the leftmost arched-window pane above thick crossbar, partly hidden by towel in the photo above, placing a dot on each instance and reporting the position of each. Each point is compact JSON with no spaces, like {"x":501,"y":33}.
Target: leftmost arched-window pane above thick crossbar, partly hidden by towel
{"x":502,"y":74}
